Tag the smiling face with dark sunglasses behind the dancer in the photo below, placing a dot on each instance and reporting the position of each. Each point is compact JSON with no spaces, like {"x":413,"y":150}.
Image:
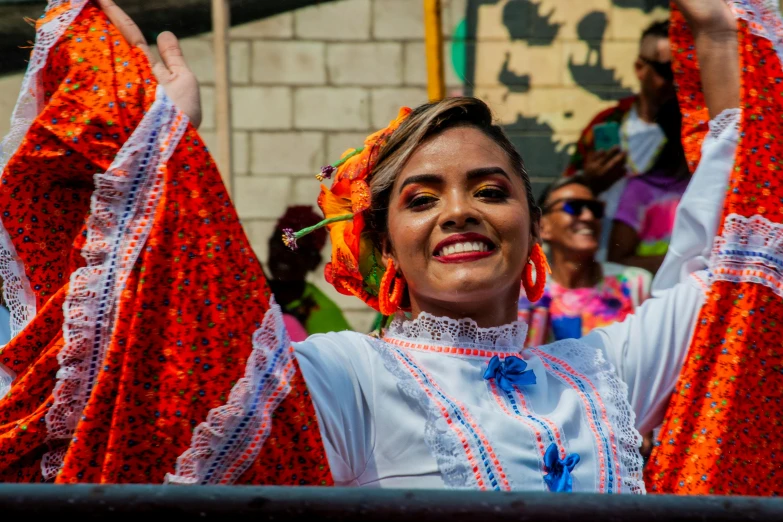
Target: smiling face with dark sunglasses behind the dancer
{"x":563,"y":229}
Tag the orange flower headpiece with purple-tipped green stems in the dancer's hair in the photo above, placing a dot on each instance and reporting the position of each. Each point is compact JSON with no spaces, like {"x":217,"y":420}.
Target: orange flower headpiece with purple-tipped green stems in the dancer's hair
{"x":355,"y":268}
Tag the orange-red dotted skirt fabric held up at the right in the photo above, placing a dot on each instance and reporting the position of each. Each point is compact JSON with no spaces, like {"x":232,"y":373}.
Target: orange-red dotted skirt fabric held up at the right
{"x":721,"y":431}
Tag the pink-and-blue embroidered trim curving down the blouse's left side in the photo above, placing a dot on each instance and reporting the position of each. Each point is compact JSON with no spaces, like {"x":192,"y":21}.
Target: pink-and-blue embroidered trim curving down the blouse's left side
{"x":502,"y":478}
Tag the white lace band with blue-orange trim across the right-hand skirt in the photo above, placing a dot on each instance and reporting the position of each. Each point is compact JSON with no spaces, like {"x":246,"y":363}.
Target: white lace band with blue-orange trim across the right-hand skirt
{"x":750,"y":249}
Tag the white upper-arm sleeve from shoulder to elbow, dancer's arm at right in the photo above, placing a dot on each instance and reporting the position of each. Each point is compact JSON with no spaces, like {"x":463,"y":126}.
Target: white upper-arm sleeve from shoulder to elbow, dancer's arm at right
{"x":649,"y":347}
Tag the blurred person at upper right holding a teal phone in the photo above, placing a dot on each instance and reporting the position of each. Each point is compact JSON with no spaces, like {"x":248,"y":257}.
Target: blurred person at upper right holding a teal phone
{"x":639,"y":135}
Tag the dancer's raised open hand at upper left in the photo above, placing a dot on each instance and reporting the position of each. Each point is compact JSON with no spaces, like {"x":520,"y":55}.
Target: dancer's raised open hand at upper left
{"x":172,"y":72}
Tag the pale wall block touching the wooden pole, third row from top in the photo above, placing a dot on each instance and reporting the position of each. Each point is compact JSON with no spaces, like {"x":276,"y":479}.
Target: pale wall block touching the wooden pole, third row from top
{"x":261,"y":108}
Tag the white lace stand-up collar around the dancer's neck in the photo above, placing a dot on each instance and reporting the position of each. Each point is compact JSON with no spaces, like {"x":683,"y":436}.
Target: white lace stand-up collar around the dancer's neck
{"x":431,"y":333}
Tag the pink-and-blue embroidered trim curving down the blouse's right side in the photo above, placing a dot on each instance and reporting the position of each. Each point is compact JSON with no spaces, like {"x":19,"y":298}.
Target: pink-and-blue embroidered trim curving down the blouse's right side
{"x":545,"y":358}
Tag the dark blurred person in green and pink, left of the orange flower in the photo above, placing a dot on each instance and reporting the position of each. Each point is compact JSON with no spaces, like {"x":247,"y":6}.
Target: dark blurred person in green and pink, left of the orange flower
{"x":307,"y":310}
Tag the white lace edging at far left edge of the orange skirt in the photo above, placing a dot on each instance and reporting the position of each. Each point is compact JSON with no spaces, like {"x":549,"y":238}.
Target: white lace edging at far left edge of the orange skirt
{"x":17,"y":292}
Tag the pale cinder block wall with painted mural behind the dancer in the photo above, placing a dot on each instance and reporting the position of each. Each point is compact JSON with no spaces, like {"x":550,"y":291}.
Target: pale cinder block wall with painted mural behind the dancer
{"x":308,"y":84}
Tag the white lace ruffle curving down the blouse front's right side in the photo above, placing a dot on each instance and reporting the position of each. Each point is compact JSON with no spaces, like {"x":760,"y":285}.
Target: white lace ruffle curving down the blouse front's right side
{"x":613,"y":392}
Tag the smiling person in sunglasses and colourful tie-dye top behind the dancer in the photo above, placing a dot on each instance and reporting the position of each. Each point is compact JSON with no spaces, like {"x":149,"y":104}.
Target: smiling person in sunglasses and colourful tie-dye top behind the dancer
{"x":582,"y":293}
